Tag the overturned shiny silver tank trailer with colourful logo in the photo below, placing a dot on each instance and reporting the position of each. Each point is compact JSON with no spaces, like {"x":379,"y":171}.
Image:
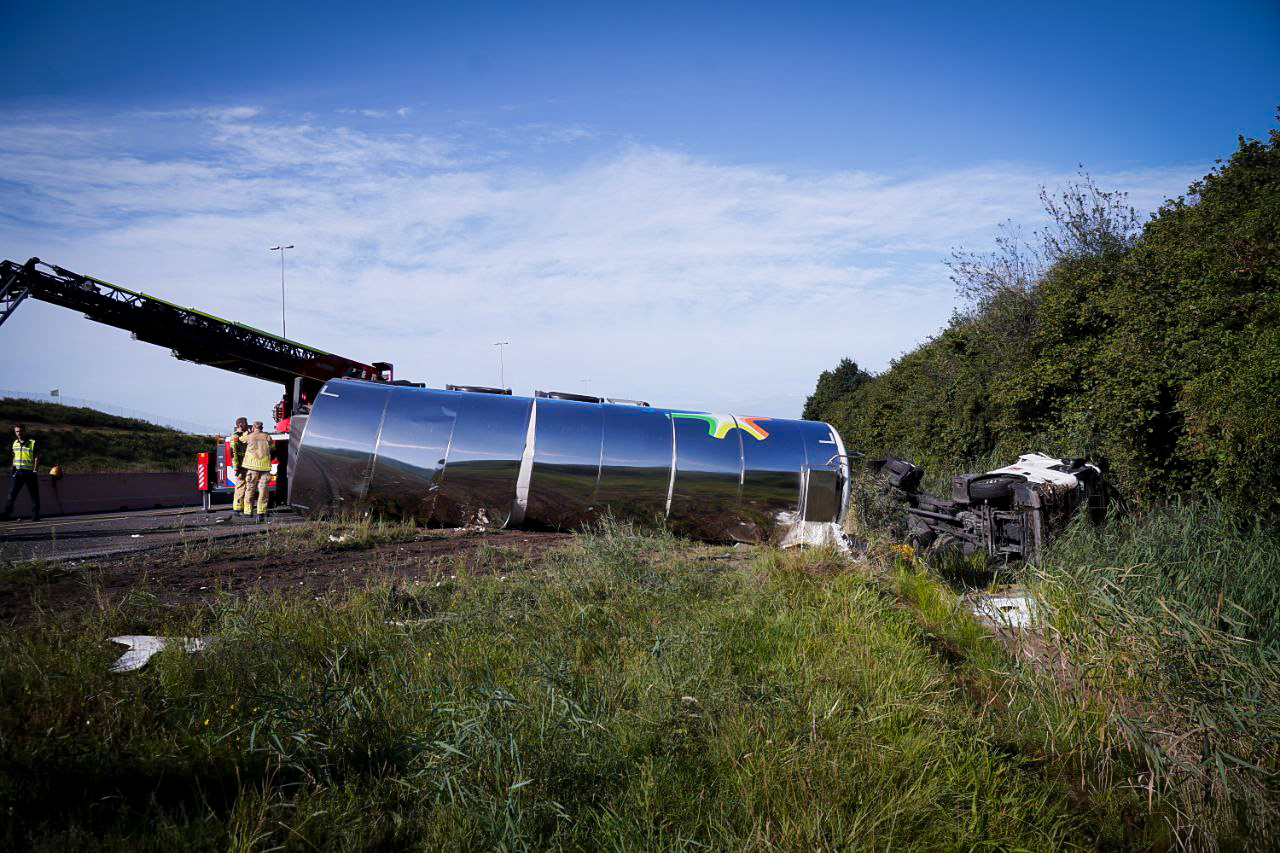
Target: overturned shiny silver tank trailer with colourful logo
{"x":459,"y":458}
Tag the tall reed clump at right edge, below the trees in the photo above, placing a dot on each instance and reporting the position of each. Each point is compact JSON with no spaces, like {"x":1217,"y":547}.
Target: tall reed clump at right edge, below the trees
{"x":1174,"y":618}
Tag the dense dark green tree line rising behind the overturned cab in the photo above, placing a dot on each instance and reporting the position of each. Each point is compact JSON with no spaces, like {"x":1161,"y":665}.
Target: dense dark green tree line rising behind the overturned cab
{"x":1154,"y":349}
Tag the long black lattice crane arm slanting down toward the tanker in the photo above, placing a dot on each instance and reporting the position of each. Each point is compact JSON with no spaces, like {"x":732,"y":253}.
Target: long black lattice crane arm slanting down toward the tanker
{"x":190,"y":335}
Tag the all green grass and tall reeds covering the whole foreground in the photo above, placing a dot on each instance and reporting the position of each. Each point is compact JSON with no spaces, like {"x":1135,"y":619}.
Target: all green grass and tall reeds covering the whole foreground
{"x":639,"y":692}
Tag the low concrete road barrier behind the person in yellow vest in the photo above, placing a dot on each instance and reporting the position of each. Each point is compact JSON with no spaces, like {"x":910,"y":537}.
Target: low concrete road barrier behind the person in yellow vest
{"x":109,"y":492}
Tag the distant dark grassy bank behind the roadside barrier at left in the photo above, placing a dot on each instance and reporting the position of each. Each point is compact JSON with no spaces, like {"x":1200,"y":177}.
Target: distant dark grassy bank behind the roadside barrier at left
{"x":86,"y":441}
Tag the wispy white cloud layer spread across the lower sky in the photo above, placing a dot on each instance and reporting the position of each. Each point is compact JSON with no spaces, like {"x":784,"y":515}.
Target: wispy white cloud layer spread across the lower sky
{"x":651,"y":272}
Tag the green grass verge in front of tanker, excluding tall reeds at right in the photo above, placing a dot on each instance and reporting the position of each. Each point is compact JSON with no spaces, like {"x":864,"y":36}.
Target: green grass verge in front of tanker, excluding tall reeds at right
{"x":632,"y":692}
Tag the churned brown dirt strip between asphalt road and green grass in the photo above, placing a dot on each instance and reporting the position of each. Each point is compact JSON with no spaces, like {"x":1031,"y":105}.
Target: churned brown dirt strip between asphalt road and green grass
{"x":176,"y":577}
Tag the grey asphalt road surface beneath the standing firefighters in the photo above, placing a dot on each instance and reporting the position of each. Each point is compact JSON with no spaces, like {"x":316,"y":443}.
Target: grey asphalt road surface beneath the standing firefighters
{"x":116,"y":533}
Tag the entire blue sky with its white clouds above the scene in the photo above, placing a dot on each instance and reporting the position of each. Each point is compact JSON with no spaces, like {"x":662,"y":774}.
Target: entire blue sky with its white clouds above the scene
{"x":698,"y":204}
